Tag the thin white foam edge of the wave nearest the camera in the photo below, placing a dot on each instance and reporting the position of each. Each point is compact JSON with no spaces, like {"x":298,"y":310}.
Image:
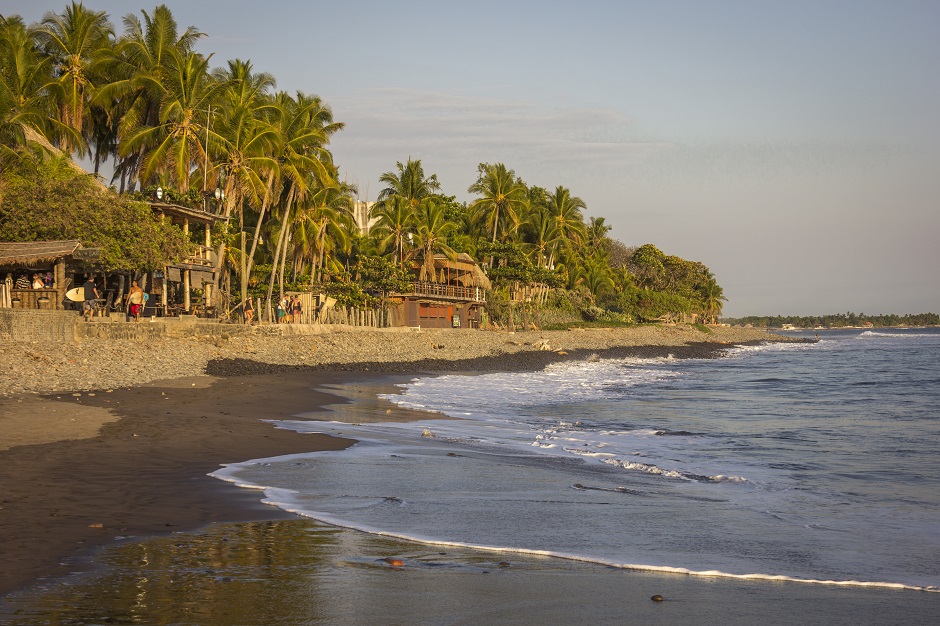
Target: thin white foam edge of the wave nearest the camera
{"x":281,"y":498}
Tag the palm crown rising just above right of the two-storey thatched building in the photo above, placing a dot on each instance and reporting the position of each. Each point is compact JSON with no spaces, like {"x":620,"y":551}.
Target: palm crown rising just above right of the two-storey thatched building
{"x":503,"y":198}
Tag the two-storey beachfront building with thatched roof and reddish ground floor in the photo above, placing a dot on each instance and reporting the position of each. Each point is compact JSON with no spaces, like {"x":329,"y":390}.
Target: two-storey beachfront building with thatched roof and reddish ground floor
{"x":453,"y":297}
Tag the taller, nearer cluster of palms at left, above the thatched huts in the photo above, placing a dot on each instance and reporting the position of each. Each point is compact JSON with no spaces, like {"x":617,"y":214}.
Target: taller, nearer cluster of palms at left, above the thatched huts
{"x":149,"y":103}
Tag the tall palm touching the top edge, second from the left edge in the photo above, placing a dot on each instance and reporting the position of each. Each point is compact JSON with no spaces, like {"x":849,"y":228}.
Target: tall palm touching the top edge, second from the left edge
{"x":77,"y":41}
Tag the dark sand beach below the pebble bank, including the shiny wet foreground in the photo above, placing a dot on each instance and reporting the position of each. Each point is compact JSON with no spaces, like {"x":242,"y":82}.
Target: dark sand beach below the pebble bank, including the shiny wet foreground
{"x":108,"y":515}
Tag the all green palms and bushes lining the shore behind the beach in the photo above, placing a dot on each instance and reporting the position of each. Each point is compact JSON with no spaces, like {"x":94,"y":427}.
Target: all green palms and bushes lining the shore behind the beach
{"x":142,"y":99}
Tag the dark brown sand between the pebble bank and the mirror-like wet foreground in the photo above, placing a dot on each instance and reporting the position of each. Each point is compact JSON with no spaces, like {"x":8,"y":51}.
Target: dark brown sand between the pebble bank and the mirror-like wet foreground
{"x":134,"y":463}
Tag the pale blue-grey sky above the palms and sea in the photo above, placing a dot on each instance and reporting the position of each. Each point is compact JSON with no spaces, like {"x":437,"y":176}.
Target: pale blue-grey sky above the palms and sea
{"x":792,"y":147}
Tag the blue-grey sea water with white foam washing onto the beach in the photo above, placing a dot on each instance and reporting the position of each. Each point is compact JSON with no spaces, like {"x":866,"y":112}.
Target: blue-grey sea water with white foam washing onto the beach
{"x":814,"y":462}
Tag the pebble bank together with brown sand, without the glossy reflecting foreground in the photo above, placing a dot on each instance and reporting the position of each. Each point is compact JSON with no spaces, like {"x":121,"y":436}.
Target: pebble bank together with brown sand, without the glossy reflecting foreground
{"x":79,"y":468}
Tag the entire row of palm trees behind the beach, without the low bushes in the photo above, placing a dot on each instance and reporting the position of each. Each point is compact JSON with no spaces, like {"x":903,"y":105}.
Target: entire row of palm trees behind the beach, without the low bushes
{"x":148,"y":103}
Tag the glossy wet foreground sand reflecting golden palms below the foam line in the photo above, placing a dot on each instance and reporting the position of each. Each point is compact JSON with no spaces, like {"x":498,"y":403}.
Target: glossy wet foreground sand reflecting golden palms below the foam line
{"x":302,"y":572}
